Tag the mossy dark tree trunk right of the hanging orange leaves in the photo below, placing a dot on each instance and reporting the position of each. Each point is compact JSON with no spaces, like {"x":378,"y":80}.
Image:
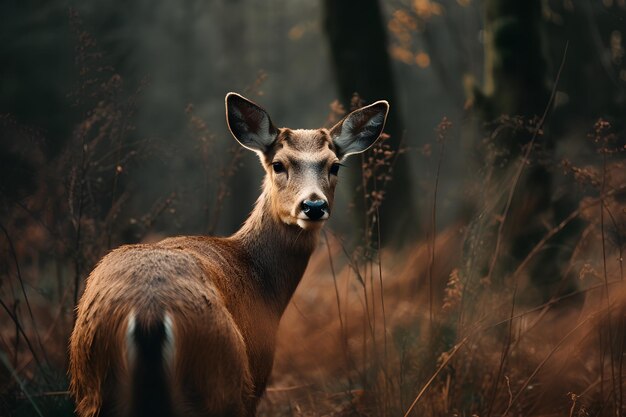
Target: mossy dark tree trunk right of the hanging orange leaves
{"x":514,"y":98}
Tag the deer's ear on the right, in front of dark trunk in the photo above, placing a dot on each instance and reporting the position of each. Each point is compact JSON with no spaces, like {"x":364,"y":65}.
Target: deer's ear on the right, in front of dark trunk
{"x":360,"y":129}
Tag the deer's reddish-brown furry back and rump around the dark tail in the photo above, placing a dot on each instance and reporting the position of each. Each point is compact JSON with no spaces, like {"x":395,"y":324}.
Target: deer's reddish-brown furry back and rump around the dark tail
{"x":190,"y":287}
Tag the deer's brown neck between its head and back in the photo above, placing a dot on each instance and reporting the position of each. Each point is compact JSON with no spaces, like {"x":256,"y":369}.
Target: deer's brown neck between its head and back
{"x":279,"y":252}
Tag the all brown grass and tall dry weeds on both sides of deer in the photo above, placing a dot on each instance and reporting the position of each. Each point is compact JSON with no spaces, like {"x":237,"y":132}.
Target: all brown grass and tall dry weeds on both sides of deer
{"x":425,"y":330}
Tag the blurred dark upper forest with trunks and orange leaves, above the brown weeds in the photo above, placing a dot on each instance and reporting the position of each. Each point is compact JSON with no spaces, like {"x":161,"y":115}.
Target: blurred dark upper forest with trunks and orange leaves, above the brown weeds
{"x":466,"y":60}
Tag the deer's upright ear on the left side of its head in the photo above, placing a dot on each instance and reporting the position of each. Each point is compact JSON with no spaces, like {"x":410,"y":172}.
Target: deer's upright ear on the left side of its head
{"x":249,"y":123}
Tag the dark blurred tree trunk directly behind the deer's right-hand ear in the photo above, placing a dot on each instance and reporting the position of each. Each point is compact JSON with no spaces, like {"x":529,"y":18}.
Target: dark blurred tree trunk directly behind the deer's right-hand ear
{"x":358,"y":44}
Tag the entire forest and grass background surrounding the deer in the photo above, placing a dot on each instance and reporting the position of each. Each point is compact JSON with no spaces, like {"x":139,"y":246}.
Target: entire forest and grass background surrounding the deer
{"x":473,"y":265}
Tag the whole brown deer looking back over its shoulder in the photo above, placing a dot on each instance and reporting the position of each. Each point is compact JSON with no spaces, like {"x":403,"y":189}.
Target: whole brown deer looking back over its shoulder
{"x":187,"y":326}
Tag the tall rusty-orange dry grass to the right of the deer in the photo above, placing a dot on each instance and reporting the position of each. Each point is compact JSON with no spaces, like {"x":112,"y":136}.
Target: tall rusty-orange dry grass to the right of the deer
{"x":423,"y":332}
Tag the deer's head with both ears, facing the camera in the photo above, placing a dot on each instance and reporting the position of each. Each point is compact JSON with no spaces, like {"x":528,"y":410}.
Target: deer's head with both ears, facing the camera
{"x":302,"y":165}
